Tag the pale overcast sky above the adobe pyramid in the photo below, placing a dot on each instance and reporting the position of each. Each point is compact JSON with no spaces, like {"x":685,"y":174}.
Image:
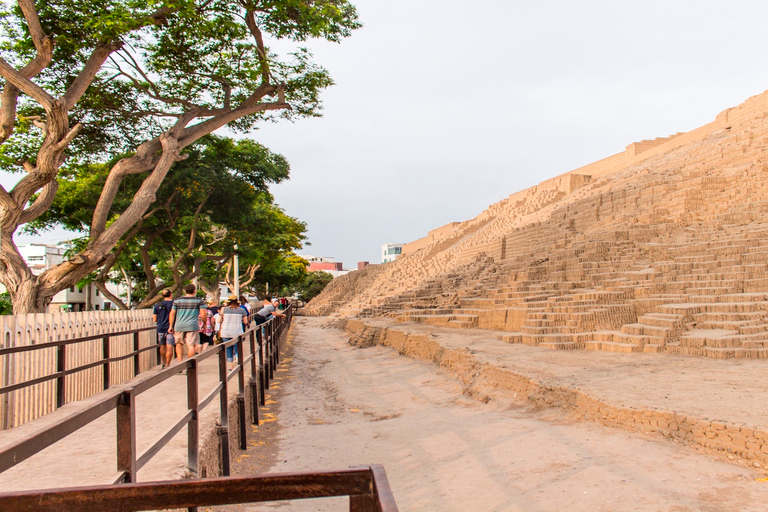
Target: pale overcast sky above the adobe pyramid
{"x":442,"y":108}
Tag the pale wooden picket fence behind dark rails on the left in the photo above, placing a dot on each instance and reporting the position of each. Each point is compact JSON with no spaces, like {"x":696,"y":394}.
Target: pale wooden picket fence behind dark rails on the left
{"x":23,"y":405}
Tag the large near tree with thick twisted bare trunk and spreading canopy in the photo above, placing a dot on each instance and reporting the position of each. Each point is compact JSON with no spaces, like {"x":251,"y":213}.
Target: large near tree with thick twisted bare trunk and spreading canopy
{"x":129,"y":85}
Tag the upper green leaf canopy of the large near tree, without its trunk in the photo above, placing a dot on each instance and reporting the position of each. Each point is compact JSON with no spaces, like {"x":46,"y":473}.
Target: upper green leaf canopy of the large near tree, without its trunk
{"x":172,"y":57}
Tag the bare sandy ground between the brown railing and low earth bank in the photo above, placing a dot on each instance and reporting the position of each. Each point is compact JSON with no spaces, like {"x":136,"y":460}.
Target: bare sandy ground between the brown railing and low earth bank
{"x":337,"y":406}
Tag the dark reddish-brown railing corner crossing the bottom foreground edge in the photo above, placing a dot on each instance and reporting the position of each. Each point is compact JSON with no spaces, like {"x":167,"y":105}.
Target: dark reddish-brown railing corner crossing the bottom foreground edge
{"x":367,"y":487}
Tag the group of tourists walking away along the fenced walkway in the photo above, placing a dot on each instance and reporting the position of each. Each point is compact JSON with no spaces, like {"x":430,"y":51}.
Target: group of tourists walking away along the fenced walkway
{"x":191,"y":321}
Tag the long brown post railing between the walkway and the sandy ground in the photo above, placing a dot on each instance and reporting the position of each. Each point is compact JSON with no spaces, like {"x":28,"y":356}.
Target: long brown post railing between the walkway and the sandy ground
{"x":264,"y":343}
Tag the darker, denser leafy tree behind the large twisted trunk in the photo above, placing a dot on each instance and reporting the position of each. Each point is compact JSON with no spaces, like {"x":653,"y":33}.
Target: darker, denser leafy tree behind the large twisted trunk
{"x":209,"y":203}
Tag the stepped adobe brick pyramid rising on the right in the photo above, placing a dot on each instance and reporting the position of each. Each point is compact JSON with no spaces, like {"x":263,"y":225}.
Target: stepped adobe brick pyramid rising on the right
{"x":661,"y":248}
